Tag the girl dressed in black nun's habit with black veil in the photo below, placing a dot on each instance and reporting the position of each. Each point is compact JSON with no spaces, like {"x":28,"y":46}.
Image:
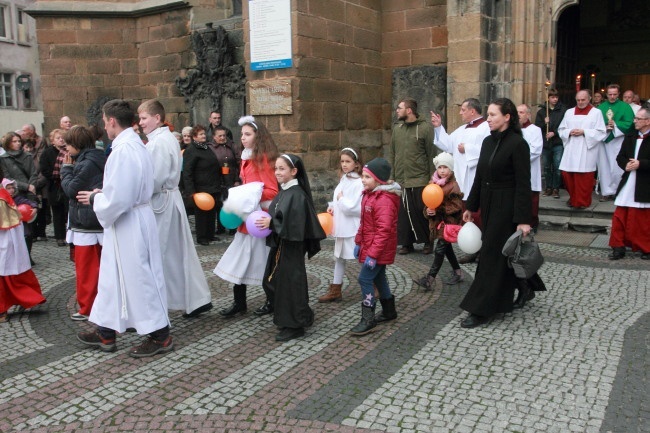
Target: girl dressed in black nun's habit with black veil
{"x":295,"y":231}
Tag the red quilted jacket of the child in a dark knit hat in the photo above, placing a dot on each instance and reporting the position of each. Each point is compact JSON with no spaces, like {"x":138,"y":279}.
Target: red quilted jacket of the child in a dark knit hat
{"x":377,"y":234}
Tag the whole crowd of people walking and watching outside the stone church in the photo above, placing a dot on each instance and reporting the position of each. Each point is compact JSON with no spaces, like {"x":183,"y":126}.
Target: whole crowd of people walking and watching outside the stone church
{"x":122,"y":209}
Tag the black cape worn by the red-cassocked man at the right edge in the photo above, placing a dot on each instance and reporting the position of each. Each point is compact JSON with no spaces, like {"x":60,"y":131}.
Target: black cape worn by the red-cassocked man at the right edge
{"x":642,"y":187}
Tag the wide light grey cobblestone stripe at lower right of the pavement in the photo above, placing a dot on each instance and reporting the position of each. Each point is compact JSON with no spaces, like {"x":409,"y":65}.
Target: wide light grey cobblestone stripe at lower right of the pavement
{"x":498,"y":366}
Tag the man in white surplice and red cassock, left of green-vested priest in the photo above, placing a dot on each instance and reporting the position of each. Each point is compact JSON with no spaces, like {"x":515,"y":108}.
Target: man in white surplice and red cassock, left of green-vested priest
{"x":582,"y":130}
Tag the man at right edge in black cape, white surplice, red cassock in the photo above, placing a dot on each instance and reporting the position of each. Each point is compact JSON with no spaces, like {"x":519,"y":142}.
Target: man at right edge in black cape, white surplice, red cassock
{"x":631,"y":220}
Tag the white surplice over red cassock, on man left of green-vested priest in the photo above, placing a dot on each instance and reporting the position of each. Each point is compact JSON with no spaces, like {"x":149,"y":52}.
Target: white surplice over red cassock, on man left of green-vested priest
{"x":581,"y":152}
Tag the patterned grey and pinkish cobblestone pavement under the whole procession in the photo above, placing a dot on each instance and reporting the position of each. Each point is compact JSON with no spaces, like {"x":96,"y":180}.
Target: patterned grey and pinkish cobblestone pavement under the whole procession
{"x":574,"y":360}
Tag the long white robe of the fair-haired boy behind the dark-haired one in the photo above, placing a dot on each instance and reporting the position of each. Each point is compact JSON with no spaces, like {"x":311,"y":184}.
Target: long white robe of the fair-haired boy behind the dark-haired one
{"x":187,"y":288}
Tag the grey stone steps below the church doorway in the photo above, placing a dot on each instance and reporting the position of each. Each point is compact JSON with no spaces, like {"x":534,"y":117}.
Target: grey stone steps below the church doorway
{"x":554,"y":214}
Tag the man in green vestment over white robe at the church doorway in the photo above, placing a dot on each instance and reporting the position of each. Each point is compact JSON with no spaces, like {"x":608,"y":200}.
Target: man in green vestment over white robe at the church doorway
{"x":618,"y":117}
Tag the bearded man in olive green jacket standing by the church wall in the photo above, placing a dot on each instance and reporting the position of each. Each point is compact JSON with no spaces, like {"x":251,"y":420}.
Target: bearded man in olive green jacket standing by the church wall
{"x":410,"y":154}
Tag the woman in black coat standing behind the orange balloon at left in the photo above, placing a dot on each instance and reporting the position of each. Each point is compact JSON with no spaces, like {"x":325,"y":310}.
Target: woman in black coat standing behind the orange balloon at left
{"x":202,"y":173}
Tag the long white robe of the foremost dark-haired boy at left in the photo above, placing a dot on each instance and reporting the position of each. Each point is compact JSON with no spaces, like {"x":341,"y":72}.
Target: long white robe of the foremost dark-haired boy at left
{"x":131,"y":289}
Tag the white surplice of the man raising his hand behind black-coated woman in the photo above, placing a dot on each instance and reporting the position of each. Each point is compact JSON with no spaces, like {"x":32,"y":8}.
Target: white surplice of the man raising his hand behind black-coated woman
{"x":464,"y":163}
